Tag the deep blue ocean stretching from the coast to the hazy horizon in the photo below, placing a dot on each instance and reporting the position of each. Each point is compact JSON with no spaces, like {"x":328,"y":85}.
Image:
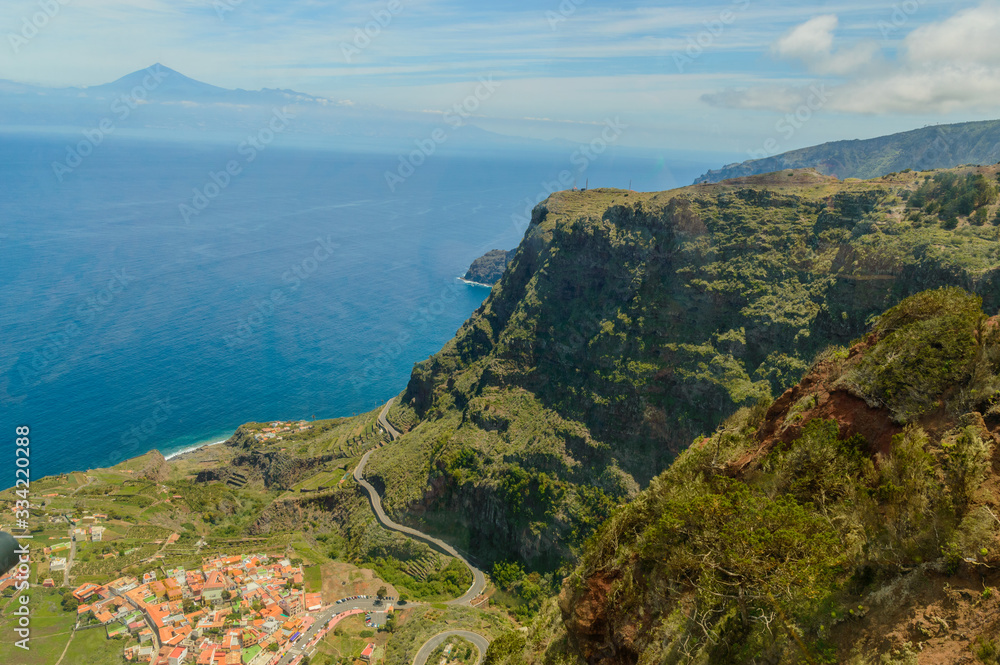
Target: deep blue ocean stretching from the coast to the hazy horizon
{"x":153,"y":299}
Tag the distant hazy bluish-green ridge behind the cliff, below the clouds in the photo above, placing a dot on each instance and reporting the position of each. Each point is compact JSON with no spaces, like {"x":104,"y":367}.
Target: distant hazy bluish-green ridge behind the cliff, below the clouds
{"x":937,"y":147}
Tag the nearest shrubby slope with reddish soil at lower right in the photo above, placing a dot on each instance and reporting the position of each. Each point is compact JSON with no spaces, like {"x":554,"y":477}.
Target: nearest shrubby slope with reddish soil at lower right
{"x":852,"y":520}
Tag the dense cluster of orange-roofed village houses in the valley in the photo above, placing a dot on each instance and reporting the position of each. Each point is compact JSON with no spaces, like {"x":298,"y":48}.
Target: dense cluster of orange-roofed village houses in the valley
{"x":234,"y":610}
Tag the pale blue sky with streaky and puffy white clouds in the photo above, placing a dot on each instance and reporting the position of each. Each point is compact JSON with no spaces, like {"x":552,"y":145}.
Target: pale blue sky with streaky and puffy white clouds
{"x":719,"y":77}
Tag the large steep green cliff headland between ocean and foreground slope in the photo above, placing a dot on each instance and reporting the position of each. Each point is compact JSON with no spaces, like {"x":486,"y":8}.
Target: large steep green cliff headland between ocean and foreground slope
{"x":628,"y":323}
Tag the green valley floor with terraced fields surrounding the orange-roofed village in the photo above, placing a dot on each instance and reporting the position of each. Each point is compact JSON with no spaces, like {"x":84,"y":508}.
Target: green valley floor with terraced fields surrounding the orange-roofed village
{"x":138,"y":564}
